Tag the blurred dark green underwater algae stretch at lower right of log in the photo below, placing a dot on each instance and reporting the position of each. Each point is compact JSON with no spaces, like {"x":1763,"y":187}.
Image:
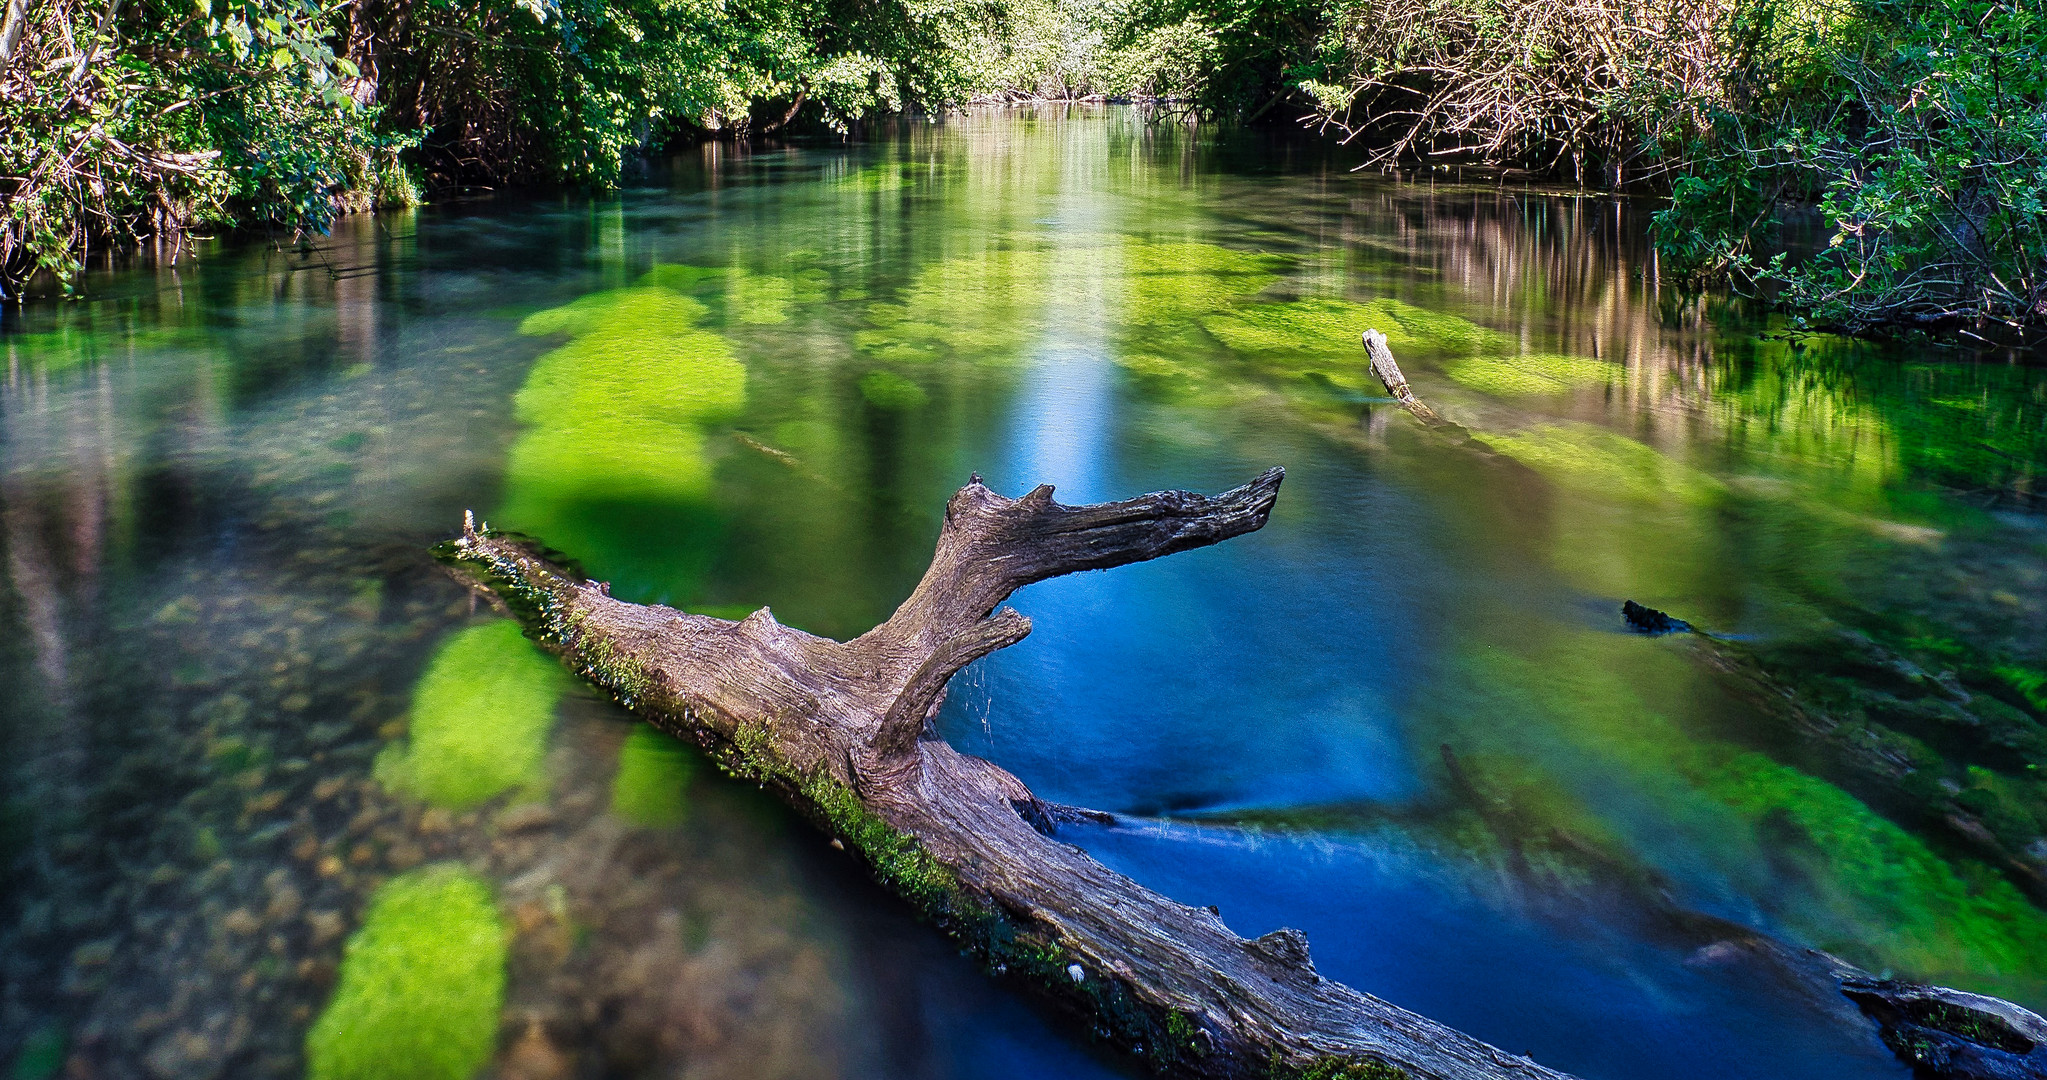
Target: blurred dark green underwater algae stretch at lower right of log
{"x":1604,"y":715}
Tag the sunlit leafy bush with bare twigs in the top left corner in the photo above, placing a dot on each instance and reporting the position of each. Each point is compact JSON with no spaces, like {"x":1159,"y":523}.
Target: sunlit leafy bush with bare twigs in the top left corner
{"x":155,"y":118}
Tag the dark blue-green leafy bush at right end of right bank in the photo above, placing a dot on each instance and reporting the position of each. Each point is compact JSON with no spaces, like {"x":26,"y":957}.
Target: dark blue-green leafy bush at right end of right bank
{"x":1921,"y":132}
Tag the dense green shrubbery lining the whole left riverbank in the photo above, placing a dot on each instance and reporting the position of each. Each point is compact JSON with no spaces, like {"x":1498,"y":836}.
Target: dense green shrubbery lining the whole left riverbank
{"x":140,"y":122}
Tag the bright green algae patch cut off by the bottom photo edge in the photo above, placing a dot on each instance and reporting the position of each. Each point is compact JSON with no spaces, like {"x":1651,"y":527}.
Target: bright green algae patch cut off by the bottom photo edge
{"x":421,"y":985}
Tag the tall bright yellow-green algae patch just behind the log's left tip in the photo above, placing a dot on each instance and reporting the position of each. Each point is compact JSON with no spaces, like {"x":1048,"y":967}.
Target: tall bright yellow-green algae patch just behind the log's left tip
{"x":613,"y":465}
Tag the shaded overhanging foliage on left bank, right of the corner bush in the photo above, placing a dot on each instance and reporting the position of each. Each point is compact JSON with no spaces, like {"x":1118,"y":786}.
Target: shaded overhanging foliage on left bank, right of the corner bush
{"x":572,"y":89}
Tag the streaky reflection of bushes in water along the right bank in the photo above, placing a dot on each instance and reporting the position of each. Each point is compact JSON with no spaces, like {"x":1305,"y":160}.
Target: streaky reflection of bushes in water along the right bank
{"x":1577,"y":277}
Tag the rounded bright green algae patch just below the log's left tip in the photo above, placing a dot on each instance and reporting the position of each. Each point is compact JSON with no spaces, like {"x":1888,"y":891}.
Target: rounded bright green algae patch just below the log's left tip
{"x":480,"y":719}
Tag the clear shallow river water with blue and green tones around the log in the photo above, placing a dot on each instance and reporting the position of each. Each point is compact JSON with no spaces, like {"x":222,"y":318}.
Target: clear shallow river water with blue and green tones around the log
{"x":756,"y":384}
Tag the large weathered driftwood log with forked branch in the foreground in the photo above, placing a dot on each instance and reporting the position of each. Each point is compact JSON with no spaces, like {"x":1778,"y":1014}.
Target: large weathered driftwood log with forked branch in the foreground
{"x":842,"y":733}
